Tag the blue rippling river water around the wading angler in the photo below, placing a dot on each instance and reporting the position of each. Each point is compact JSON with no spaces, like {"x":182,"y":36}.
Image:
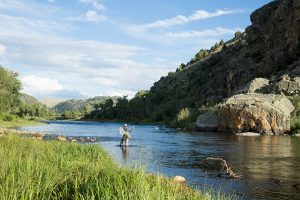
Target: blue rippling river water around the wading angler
{"x":270,"y":165}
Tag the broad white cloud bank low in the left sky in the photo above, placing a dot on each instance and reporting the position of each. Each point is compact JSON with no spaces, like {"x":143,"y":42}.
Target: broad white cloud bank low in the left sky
{"x":91,"y":66}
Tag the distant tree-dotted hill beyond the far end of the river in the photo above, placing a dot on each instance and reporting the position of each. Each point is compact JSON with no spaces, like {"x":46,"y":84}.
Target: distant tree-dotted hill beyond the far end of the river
{"x":80,"y":104}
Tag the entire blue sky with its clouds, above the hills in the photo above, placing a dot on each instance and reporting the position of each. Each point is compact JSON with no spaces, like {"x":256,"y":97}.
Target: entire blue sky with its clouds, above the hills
{"x":83,"y":48}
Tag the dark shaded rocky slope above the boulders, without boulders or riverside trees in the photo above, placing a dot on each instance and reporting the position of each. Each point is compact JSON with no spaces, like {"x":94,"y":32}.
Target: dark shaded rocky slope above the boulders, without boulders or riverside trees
{"x":269,"y":48}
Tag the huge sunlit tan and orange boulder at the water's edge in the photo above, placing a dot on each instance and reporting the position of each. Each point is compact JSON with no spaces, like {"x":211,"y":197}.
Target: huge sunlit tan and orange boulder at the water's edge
{"x":264,"y":114}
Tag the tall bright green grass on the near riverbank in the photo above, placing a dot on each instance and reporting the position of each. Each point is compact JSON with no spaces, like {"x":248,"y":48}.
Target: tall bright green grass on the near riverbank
{"x":32,"y":169}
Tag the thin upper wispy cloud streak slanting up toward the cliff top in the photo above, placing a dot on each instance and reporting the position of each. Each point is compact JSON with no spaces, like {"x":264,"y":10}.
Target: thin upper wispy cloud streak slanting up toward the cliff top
{"x":181,"y":19}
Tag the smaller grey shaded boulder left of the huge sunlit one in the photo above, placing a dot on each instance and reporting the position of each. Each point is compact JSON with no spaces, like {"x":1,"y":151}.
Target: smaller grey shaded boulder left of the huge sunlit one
{"x":207,"y":122}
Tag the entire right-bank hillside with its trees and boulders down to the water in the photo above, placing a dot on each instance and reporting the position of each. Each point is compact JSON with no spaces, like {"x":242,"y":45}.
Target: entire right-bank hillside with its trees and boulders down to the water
{"x":265,"y":59}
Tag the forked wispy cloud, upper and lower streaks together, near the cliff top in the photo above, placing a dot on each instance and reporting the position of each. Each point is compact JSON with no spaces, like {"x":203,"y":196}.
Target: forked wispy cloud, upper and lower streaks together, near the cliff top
{"x":164,"y":32}
